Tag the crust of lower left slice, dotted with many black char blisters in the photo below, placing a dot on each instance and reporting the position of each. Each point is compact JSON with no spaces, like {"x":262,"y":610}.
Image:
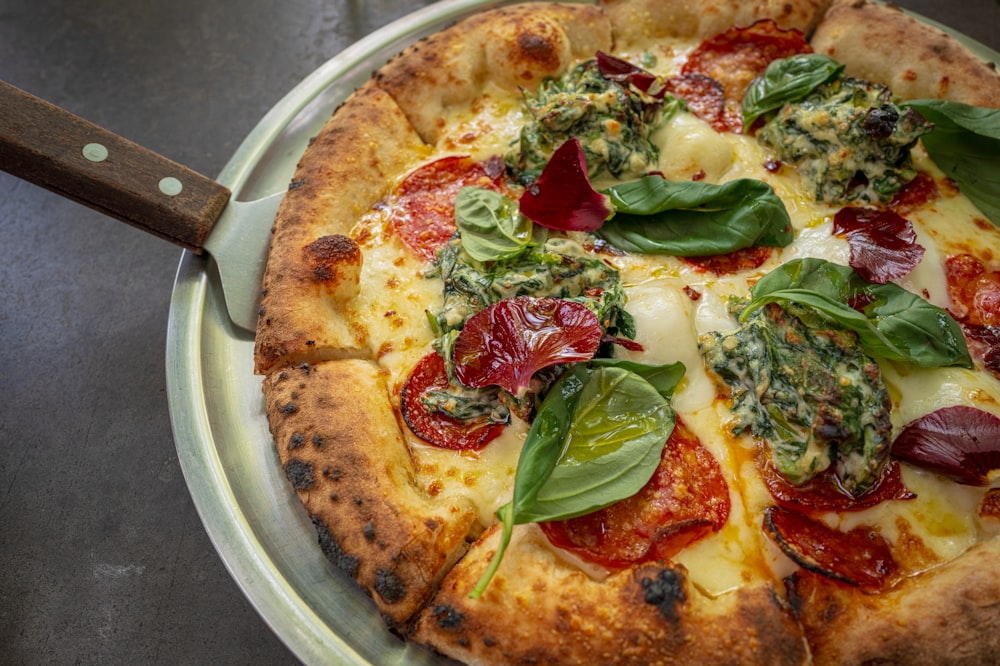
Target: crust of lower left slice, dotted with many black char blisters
{"x":348,"y":463}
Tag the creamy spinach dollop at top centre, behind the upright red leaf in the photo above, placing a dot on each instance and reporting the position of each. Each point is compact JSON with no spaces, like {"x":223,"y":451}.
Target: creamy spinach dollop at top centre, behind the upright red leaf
{"x":612,"y":122}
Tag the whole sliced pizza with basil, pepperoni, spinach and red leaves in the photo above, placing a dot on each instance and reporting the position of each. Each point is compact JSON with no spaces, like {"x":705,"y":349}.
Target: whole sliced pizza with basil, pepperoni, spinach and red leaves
{"x":653,"y":331}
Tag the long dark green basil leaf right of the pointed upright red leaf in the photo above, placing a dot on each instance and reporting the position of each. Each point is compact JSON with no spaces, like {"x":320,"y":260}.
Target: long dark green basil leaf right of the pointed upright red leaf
{"x":692,"y":219}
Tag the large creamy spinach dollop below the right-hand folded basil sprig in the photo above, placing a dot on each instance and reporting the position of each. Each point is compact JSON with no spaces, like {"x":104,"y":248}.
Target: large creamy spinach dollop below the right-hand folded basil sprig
{"x":809,"y":390}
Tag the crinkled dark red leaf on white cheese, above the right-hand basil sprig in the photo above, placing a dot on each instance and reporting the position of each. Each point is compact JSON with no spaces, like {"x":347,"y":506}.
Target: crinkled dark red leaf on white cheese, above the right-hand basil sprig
{"x":883,"y":244}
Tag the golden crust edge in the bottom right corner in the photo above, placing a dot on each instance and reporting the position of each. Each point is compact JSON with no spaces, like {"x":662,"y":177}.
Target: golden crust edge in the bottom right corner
{"x":948,"y":615}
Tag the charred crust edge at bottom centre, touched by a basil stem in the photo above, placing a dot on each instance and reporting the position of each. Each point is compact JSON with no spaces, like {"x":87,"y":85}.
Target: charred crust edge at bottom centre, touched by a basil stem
{"x":540,"y":610}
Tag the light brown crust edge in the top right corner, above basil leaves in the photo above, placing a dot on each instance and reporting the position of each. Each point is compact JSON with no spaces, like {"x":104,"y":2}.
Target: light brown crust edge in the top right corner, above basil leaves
{"x":881,"y":43}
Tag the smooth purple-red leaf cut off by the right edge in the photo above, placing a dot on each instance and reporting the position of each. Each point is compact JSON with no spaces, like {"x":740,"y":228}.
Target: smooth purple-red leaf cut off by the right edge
{"x":962,"y":443}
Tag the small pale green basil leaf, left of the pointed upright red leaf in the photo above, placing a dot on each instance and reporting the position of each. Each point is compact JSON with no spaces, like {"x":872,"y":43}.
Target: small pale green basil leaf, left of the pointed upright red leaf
{"x":491,"y":226}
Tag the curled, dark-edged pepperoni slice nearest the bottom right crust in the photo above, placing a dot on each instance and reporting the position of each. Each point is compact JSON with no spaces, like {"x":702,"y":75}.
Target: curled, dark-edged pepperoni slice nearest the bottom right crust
{"x":860,"y":557}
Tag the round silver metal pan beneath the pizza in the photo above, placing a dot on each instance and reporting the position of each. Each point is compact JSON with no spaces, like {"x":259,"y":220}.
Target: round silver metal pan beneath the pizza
{"x":220,"y":429}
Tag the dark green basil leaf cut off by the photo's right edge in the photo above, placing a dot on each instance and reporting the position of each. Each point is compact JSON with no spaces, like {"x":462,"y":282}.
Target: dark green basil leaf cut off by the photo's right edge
{"x":965,"y":144}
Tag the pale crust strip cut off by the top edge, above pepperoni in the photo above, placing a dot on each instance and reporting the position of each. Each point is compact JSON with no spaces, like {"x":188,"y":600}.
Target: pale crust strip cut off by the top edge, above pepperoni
{"x":637,"y":21}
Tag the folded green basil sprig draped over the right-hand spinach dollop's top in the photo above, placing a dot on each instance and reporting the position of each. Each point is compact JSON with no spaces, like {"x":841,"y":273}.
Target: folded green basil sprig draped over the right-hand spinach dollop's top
{"x":893,"y":323}
